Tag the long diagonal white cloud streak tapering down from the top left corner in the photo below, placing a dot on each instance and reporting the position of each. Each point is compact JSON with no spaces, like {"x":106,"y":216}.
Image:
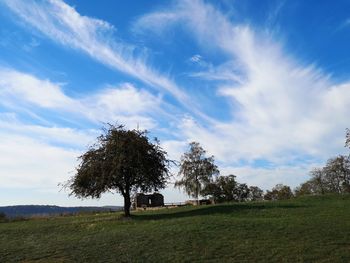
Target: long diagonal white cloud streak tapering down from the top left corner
{"x":63,"y":24}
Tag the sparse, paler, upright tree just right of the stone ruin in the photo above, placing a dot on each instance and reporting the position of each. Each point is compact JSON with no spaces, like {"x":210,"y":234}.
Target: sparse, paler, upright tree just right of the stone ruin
{"x":196,"y":170}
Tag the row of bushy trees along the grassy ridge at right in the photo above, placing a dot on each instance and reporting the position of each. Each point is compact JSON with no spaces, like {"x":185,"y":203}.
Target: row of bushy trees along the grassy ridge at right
{"x":334,"y":177}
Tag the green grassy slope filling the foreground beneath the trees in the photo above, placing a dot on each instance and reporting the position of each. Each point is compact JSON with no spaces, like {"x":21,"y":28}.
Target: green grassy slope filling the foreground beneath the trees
{"x":309,"y":229}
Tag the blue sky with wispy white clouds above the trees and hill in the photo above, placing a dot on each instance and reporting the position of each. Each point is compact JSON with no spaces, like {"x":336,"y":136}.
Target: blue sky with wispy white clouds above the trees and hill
{"x":264,"y":86}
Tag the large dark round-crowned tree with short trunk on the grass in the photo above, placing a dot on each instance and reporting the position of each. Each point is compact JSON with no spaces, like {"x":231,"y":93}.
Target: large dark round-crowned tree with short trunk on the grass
{"x":122,"y":161}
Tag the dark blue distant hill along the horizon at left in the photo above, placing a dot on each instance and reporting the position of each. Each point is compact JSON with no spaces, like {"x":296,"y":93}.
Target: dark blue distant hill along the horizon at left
{"x":44,"y":210}
